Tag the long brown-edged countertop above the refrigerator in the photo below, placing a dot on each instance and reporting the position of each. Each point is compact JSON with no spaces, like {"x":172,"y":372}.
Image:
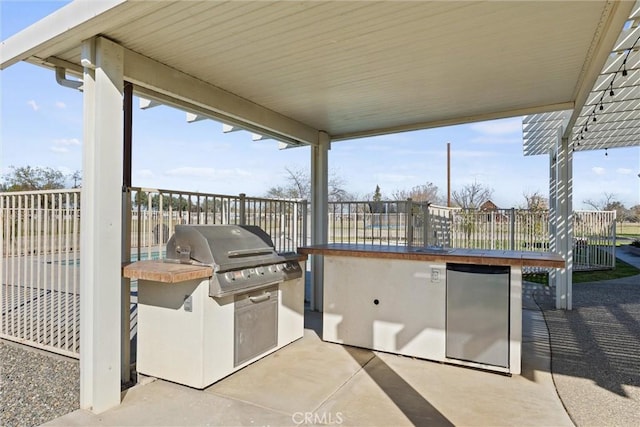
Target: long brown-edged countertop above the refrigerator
{"x":461,"y":256}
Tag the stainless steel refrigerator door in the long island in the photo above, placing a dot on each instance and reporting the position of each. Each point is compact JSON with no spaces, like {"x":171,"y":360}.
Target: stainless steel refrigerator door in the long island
{"x":477,"y":328}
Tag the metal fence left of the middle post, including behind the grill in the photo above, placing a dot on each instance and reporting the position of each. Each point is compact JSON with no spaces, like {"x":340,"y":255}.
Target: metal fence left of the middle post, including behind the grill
{"x":40,"y":245}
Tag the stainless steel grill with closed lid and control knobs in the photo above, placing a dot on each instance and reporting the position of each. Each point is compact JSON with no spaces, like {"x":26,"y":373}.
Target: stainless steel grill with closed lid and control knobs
{"x":243,"y":257}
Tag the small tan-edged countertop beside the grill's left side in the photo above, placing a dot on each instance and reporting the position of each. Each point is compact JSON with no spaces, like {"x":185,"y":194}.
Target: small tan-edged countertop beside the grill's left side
{"x":165,"y":272}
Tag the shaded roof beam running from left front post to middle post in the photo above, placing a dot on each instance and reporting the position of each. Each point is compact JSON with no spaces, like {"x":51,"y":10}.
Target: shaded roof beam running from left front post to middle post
{"x":187,"y":91}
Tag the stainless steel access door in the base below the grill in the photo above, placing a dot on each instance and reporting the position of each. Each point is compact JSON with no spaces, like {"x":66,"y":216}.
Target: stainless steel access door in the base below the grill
{"x":255,"y":324}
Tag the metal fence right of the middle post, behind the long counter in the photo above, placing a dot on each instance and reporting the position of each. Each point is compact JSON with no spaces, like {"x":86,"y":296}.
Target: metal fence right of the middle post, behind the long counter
{"x":408,"y":223}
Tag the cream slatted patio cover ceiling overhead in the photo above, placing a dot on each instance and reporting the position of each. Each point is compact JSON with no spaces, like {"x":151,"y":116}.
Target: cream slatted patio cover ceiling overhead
{"x":356,"y":68}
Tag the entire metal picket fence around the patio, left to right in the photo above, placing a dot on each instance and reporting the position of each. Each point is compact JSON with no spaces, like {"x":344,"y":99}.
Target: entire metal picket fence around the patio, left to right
{"x":40,"y":242}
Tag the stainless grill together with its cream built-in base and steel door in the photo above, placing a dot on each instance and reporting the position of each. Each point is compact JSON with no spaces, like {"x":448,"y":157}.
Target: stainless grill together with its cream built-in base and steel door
{"x":196,"y":332}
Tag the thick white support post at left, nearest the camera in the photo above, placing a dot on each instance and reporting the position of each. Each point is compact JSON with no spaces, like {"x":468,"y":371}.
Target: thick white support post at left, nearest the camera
{"x":101,"y":227}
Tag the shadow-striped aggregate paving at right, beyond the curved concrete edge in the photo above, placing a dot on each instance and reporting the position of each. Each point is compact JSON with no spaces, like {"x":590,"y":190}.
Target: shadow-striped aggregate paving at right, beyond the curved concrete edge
{"x":595,"y":351}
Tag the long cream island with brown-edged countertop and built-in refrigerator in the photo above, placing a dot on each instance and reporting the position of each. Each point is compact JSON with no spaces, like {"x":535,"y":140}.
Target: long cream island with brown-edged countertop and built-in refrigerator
{"x":459,"y":306}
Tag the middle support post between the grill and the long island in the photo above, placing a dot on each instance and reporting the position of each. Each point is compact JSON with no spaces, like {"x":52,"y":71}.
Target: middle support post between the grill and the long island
{"x":319,"y":213}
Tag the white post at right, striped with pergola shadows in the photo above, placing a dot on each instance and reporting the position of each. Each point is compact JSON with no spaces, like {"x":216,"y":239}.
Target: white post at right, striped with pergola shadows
{"x":563,"y":218}
